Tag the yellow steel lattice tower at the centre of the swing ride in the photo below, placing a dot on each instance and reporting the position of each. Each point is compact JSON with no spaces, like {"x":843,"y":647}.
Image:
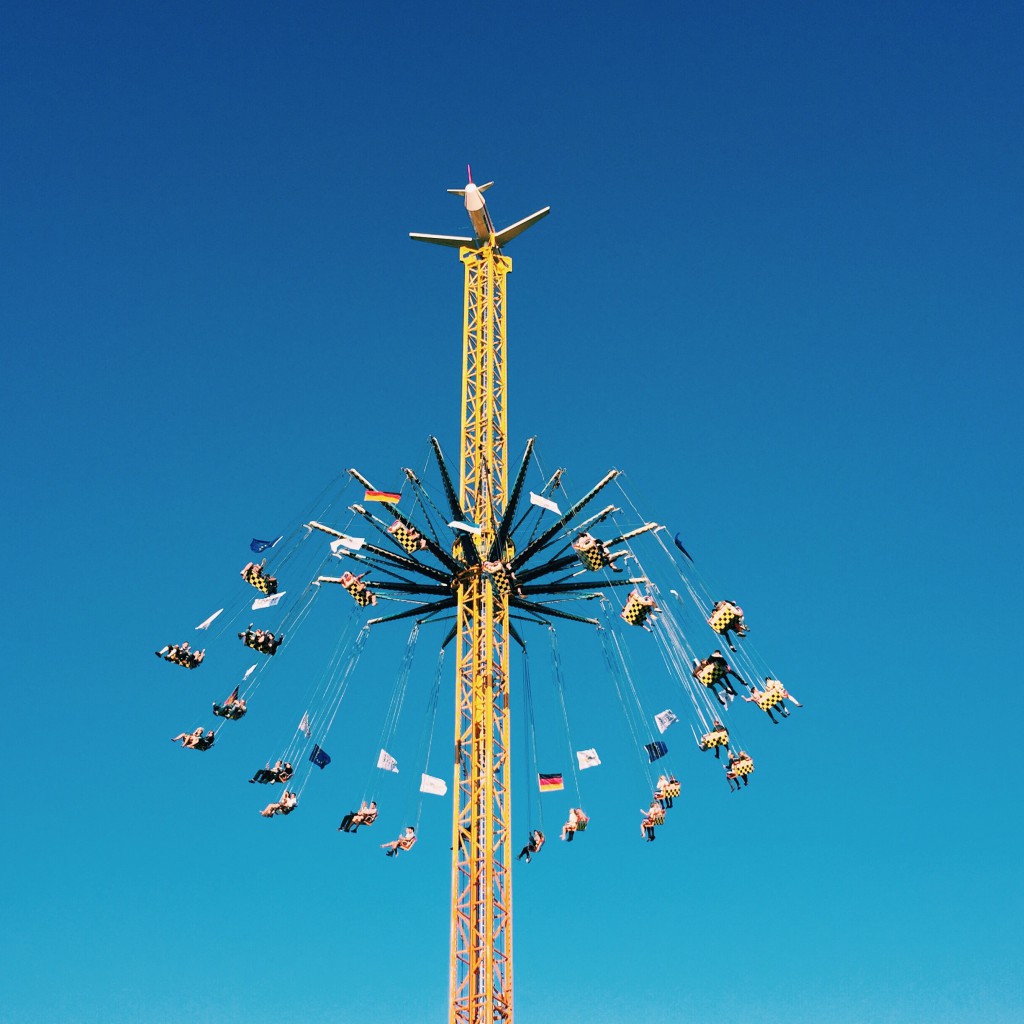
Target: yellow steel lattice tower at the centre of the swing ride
{"x":482,"y":877}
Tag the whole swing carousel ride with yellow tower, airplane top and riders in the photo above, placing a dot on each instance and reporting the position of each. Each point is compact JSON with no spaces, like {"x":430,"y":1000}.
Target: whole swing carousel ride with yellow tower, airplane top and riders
{"x":486,"y":567}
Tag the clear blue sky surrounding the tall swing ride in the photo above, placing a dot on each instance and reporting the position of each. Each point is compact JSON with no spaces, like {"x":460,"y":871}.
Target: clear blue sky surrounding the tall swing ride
{"x":780,"y":288}
